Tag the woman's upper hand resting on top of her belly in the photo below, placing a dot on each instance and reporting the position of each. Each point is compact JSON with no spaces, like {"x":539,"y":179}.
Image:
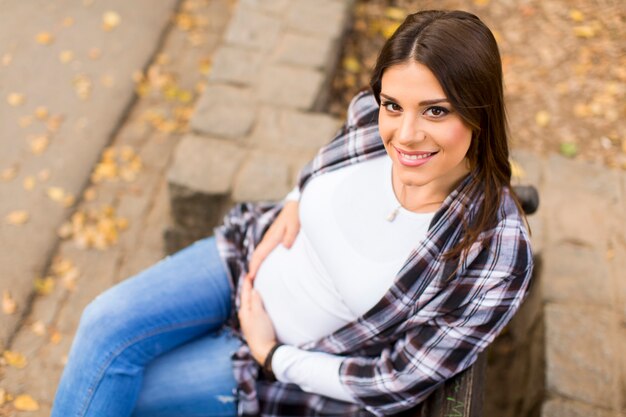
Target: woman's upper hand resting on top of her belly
{"x":284,"y":230}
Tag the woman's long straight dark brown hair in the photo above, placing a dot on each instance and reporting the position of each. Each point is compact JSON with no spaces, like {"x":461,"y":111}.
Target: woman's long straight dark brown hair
{"x":463,"y":55}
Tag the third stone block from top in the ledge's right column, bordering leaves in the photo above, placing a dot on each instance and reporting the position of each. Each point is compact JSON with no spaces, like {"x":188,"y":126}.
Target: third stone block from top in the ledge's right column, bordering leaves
{"x":290,"y":86}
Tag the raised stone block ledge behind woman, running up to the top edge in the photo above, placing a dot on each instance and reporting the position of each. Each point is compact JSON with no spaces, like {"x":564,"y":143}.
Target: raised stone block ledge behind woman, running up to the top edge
{"x":259,"y":120}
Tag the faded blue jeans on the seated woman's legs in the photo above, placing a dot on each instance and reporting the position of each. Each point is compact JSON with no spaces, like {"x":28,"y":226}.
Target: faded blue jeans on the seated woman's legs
{"x":155,"y":345}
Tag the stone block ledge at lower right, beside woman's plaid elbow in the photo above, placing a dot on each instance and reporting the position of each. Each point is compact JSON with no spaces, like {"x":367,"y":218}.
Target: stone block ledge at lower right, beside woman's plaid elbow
{"x":565,"y":350}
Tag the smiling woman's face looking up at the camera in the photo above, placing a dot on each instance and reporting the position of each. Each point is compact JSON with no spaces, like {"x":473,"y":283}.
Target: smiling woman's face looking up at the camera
{"x":426,"y":139}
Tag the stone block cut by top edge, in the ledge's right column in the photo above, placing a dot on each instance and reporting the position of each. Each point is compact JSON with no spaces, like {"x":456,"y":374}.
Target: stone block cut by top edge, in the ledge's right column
{"x":322,"y":17}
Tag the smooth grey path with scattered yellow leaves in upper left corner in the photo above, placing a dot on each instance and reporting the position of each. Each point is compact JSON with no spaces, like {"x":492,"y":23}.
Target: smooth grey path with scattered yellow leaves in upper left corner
{"x":66,"y":84}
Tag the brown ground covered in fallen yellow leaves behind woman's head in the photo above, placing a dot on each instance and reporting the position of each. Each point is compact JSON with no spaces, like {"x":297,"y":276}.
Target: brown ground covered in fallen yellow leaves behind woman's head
{"x":564,"y":65}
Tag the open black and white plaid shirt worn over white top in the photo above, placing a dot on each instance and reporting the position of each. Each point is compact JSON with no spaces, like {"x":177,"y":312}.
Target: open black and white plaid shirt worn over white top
{"x":430,"y":325}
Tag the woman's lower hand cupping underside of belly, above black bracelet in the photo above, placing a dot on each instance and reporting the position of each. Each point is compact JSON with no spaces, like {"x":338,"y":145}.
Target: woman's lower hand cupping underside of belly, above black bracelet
{"x":256,"y":324}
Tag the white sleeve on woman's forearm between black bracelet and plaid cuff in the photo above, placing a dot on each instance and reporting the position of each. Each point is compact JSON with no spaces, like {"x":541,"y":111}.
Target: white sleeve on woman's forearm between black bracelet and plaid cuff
{"x":315,"y":372}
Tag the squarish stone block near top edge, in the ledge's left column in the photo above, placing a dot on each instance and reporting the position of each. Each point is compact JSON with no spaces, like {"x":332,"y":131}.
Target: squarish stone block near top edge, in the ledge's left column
{"x":252,"y":29}
